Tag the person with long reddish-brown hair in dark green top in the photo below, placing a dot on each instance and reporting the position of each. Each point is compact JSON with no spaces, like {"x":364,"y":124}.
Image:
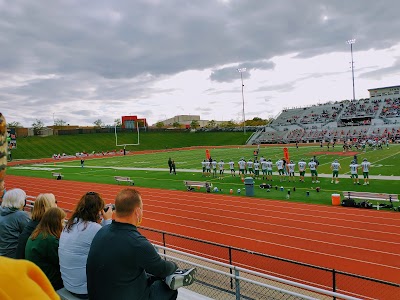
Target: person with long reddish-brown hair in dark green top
{"x":42,"y":246}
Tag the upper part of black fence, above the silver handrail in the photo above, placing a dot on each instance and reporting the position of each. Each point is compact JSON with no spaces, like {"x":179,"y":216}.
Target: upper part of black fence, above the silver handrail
{"x":319,"y":277}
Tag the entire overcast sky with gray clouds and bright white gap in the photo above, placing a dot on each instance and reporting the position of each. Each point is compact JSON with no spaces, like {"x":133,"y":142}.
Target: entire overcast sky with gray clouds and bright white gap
{"x":80,"y":61}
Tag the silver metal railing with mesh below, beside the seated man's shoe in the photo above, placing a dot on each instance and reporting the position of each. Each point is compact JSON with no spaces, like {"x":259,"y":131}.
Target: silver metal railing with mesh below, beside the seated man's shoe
{"x":214,"y":280}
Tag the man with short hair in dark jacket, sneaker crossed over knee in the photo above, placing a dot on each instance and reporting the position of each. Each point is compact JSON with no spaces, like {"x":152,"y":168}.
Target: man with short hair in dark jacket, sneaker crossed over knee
{"x":121,"y":260}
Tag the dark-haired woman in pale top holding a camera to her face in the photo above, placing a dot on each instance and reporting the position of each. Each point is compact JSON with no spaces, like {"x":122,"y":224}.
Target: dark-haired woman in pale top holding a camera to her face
{"x":76,"y":238}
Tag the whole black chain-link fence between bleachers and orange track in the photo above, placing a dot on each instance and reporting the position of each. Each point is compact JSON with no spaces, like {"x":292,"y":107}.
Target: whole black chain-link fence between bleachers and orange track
{"x":224,"y":287}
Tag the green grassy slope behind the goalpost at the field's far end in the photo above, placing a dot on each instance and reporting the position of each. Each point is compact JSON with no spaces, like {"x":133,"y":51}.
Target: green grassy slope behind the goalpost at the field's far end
{"x":45,"y":147}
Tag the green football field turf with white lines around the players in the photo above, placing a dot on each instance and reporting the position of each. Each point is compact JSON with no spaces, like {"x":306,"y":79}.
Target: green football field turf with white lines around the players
{"x":103,"y":169}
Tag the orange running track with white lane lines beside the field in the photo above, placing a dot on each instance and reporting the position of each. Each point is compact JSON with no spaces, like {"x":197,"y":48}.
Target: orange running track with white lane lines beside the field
{"x":364,"y":242}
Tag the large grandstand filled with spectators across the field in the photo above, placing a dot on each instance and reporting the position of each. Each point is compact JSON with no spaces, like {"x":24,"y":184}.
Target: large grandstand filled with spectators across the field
{"x":373,"y":118}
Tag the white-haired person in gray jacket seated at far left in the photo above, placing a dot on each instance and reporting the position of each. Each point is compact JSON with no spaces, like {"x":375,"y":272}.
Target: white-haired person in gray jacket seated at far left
{"x":13,"y":220}
